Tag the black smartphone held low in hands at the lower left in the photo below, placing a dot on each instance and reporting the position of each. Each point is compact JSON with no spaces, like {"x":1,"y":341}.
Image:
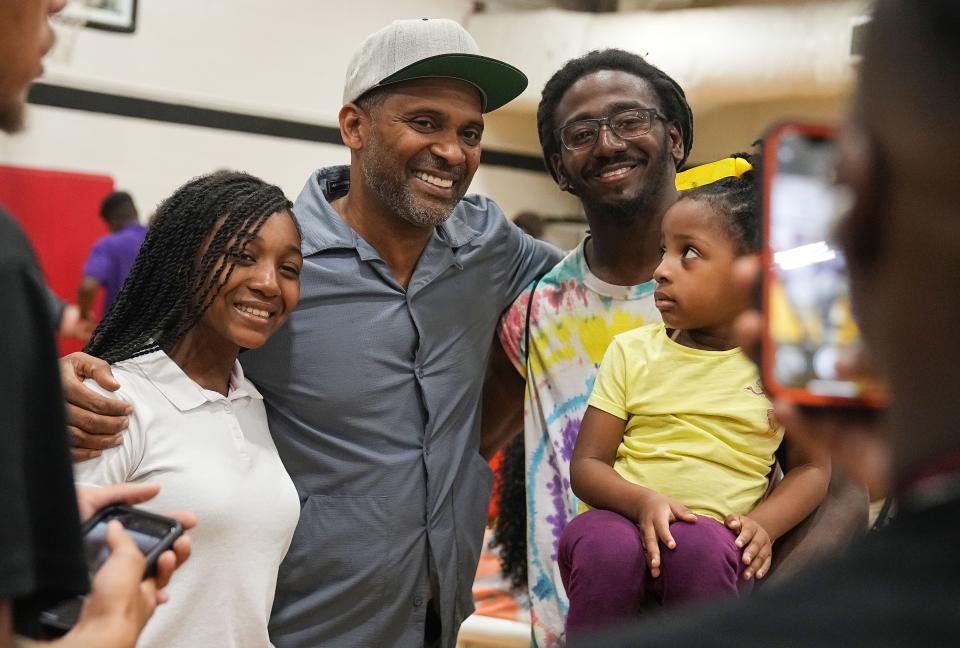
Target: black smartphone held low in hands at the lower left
{"x":152,"y":533}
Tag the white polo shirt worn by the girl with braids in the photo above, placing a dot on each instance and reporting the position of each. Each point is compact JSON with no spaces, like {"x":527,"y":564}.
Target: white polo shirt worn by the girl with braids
{"x":212,"y":455}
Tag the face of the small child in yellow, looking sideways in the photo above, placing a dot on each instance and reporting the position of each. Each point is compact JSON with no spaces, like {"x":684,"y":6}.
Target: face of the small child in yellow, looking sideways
{"x":695,"y":289}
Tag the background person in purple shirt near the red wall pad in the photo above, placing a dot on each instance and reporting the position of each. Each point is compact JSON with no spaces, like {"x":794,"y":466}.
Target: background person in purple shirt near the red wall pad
{"x":112,"y":256}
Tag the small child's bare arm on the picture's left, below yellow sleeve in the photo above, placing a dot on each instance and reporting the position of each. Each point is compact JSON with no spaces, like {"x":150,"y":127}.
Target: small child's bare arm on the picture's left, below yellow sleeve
{"x":594,"y":481}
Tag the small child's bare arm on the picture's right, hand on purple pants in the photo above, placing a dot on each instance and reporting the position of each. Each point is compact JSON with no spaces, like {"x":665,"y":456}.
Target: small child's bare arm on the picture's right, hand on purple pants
{"x":803,"y":488}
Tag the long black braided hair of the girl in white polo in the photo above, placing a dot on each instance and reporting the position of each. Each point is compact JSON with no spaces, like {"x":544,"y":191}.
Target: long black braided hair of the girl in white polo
{"x":171,"y":284}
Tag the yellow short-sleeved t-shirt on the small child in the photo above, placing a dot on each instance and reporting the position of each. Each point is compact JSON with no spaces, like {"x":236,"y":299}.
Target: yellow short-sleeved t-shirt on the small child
{"x":699,"y":427}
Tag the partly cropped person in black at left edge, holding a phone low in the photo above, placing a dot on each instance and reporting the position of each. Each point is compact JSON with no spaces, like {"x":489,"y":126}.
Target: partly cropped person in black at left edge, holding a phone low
{"x":41,"y":554}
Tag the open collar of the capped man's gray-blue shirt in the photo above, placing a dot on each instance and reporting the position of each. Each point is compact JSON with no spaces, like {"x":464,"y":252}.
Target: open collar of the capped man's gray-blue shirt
{"x":324,"y":229}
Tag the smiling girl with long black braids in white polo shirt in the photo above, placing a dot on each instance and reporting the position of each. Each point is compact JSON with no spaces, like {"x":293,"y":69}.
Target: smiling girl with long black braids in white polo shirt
{"x":218,"y":273}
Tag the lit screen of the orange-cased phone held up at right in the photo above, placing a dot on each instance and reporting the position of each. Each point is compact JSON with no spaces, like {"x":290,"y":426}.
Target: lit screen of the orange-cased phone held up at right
{"x":810,"y":322}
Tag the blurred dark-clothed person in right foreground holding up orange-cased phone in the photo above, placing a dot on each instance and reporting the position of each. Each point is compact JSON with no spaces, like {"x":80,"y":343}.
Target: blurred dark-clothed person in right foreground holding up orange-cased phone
{"x":900,"y":586}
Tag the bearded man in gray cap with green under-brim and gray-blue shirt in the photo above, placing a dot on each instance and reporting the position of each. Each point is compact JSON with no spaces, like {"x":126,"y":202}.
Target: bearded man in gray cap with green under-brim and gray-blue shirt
{"x":373,"y":386}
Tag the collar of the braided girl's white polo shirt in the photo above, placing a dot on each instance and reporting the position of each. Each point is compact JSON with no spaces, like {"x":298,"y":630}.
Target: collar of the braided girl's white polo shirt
{"x":182,"y":392}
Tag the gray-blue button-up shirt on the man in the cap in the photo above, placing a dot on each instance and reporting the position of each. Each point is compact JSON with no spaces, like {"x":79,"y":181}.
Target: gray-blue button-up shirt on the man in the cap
{"x":373,"y":395}
